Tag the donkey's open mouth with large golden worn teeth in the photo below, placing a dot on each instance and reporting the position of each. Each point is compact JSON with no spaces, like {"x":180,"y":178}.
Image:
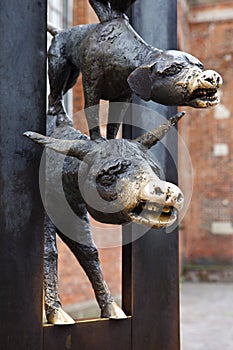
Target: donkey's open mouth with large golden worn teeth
{"x":149,"y":214}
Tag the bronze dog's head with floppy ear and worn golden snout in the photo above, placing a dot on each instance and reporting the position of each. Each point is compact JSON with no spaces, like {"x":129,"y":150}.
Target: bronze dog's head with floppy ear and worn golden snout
{"x":176,"y":78}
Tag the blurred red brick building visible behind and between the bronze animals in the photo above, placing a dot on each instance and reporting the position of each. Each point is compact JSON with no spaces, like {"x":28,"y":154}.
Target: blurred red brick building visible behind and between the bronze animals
{"x":206,"y":236}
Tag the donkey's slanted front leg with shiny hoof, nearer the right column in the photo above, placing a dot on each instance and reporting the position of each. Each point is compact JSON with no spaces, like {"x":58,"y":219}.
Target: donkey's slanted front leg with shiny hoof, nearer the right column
{"x":88,"y":258}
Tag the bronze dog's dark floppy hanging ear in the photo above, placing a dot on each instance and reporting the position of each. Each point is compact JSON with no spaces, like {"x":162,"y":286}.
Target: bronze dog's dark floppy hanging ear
{"x":140,"y":81}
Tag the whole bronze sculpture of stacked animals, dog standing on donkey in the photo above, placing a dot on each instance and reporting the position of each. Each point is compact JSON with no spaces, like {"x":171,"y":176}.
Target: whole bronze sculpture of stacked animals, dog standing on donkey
{"x":120,"y":171}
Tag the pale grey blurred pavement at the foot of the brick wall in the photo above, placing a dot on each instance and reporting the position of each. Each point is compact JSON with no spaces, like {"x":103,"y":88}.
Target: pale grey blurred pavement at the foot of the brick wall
{"x":206,"y":316}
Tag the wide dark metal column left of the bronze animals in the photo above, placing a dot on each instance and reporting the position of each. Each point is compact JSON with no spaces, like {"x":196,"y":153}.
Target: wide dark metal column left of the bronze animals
{"x":22,"y":107}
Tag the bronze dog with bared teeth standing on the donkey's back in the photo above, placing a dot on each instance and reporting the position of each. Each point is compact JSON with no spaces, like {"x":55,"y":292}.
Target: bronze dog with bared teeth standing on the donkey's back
{"x":115,"y":62}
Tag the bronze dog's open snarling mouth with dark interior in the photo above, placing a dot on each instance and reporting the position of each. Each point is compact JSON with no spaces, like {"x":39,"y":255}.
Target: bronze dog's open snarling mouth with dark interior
{"x":202,"y":98}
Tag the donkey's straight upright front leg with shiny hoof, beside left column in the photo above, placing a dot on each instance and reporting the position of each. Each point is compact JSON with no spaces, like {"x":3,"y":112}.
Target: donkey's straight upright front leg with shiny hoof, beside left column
{"x":53,"y":309}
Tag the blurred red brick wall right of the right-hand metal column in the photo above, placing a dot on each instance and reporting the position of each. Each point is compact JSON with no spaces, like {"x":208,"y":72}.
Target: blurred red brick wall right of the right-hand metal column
{"x":207,"y":229}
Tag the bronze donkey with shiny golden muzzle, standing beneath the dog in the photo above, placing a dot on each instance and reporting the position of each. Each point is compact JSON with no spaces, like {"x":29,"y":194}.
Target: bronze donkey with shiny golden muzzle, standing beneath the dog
{"x":128,"y":186}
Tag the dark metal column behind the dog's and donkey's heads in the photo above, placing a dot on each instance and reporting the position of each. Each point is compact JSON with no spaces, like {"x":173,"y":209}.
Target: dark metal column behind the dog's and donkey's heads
{"x":155,"y":278}
